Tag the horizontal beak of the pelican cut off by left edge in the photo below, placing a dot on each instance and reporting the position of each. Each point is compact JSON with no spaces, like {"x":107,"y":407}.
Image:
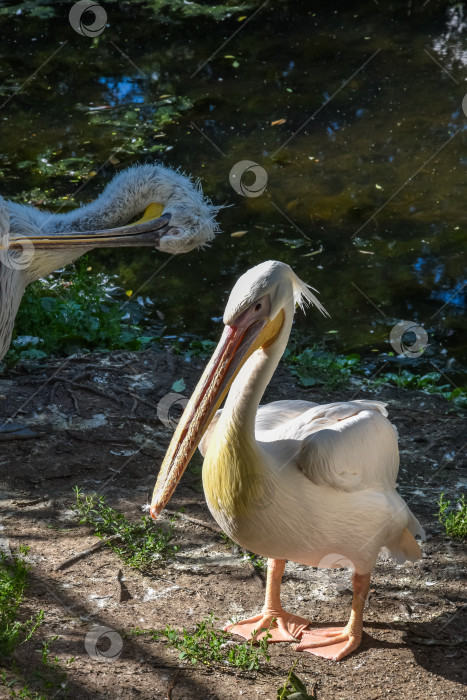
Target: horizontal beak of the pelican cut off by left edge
{"x":146,"y":232}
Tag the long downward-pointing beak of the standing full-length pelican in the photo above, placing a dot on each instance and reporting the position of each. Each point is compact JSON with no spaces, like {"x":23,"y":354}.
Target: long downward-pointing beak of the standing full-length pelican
{"x":234,"y":348}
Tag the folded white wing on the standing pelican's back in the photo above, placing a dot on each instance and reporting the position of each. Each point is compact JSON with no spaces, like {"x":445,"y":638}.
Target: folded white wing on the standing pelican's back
{"x":348,"y":446}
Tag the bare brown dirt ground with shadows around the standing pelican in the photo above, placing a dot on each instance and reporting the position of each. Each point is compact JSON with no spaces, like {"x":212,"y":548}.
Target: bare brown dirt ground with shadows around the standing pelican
{"x":101,"y":431}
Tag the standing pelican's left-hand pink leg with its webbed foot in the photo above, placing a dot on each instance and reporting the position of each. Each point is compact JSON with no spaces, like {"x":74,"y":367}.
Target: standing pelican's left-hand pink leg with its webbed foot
{"x":283,"y":626}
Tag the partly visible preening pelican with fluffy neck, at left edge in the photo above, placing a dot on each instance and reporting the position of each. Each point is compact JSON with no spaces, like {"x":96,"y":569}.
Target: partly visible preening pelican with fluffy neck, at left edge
{"x":176,"y":218}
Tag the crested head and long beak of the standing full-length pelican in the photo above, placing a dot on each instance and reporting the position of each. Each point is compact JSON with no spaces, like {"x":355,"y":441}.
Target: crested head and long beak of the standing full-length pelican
{"x":253,"y":319}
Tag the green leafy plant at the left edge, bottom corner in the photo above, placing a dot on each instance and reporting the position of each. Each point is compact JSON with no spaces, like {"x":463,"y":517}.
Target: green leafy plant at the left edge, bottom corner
{"x":13,"y":584}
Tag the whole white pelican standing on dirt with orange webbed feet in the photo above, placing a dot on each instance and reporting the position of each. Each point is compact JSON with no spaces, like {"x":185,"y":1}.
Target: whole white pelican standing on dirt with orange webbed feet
{"x":290,"y":480}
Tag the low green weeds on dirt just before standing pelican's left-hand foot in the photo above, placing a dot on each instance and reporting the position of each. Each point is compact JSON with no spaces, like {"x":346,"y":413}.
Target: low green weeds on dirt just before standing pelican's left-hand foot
{"x":213,"y":647}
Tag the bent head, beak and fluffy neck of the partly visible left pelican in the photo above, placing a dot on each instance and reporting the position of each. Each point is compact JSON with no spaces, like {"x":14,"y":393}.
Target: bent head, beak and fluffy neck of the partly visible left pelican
{"x":172,"y":215}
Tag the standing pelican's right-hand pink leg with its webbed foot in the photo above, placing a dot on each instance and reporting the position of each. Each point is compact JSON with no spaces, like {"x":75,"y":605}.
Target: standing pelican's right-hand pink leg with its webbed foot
{"x":335,"y":643}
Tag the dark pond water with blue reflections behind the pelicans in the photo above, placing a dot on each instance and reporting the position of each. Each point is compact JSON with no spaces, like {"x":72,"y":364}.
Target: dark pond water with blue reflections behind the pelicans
{"x":366,"y":191}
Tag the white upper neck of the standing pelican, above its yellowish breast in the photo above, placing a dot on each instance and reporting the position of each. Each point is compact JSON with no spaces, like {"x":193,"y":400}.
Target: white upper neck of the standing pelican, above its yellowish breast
{"x":239,"y":413}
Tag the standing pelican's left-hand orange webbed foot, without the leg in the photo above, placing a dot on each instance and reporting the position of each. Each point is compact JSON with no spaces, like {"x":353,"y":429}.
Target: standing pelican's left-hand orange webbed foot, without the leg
{"x":283,"y":627}
